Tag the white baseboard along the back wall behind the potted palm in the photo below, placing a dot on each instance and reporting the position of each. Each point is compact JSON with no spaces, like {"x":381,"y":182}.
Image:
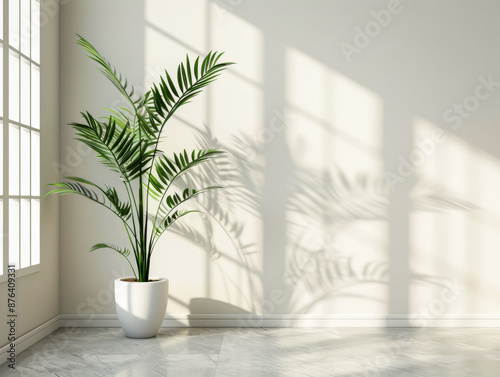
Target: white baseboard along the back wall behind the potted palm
{"x":291,"y":320}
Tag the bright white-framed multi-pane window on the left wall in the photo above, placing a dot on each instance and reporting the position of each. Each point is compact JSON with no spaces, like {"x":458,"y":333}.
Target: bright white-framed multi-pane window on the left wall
{"x":20,"y":133}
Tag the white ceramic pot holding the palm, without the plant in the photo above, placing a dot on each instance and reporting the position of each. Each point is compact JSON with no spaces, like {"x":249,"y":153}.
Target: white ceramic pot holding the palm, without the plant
{"x":141,"y":306}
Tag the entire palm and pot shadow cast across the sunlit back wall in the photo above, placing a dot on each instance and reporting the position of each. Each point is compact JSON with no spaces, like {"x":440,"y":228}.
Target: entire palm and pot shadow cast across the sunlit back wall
{"x":322,"y":206}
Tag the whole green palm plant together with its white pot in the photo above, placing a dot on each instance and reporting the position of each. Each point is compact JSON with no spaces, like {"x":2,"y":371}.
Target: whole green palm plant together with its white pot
{"x":127,"y":142}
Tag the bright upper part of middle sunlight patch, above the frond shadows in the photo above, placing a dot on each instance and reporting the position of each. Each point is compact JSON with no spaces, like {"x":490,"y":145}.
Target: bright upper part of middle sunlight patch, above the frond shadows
{"x":335,"y":118}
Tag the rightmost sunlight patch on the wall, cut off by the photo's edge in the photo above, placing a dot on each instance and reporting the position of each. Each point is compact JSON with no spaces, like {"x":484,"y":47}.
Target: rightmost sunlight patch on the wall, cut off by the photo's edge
{"x":454,"y":225}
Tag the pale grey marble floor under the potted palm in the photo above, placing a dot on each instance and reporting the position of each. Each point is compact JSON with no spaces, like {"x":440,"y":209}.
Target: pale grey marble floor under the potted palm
{"x":200,"y":352}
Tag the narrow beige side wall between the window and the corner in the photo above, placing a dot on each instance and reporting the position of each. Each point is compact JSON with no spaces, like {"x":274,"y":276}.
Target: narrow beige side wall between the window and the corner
{"x":37,"y":294}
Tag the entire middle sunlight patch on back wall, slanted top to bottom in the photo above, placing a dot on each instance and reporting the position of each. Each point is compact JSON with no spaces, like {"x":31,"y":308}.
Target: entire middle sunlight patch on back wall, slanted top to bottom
{"x":337,"y":212}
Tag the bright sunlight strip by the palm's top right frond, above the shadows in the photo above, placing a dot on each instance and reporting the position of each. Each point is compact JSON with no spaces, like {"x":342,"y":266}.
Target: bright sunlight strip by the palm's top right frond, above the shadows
{"x":236,"y":100}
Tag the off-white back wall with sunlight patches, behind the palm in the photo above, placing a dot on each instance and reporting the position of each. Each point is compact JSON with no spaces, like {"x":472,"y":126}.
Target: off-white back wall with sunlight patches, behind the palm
{"x":317,"y":137}
